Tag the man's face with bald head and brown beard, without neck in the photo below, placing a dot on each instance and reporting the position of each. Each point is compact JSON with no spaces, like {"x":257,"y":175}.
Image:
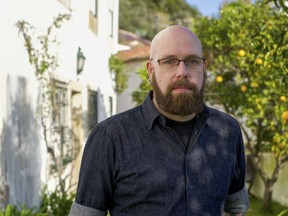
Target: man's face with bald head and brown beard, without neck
{"x":178,"y":91}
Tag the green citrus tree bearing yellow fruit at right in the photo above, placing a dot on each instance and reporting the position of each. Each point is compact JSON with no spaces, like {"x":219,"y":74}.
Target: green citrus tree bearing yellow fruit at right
{"x":247,"y":51}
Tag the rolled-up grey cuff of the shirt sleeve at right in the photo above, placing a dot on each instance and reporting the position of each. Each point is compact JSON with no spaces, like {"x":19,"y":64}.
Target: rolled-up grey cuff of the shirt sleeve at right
{"x":237,"y":203}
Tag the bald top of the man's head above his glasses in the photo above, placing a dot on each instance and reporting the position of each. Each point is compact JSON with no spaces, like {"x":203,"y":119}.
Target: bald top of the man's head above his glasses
{"x":175,"y":41}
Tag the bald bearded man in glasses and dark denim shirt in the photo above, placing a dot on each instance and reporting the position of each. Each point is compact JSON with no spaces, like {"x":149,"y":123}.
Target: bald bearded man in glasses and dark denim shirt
{"x":170,"y":156}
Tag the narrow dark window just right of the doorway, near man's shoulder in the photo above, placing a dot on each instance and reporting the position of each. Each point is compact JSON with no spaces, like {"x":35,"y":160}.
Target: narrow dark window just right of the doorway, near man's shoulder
{"x":92,"y":109}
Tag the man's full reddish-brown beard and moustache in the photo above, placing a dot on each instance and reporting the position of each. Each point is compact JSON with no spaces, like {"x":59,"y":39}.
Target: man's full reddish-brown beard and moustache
{"x":182,"y":103}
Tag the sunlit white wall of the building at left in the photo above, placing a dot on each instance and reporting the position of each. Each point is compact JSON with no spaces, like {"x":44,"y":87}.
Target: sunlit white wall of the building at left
{"x":14,"y":64}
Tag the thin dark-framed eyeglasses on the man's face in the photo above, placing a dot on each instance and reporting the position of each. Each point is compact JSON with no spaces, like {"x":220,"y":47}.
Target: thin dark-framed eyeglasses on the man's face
{"x":172,"y":63}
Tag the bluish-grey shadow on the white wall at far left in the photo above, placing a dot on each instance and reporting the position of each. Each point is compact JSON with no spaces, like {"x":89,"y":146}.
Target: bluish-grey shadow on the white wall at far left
{"x":21,"y":148}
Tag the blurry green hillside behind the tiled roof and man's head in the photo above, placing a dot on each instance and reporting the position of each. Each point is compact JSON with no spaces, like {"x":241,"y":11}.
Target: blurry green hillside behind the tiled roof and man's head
{"x":146,"y":18}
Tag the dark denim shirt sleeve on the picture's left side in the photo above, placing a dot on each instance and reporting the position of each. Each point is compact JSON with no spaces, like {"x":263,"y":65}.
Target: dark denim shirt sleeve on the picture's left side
{"x":97,"y":171}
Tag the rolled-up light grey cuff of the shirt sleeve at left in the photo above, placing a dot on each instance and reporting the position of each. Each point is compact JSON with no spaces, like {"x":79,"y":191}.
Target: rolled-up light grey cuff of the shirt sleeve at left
{"x":80,"y":210}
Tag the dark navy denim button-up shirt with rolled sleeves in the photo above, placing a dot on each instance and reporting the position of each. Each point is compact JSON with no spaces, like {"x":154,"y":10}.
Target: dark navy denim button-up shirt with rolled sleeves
{"x":133,"y":164}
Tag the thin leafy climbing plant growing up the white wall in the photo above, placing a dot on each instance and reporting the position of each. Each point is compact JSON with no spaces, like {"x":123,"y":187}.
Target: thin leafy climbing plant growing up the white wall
{"x":44,"y":63}
